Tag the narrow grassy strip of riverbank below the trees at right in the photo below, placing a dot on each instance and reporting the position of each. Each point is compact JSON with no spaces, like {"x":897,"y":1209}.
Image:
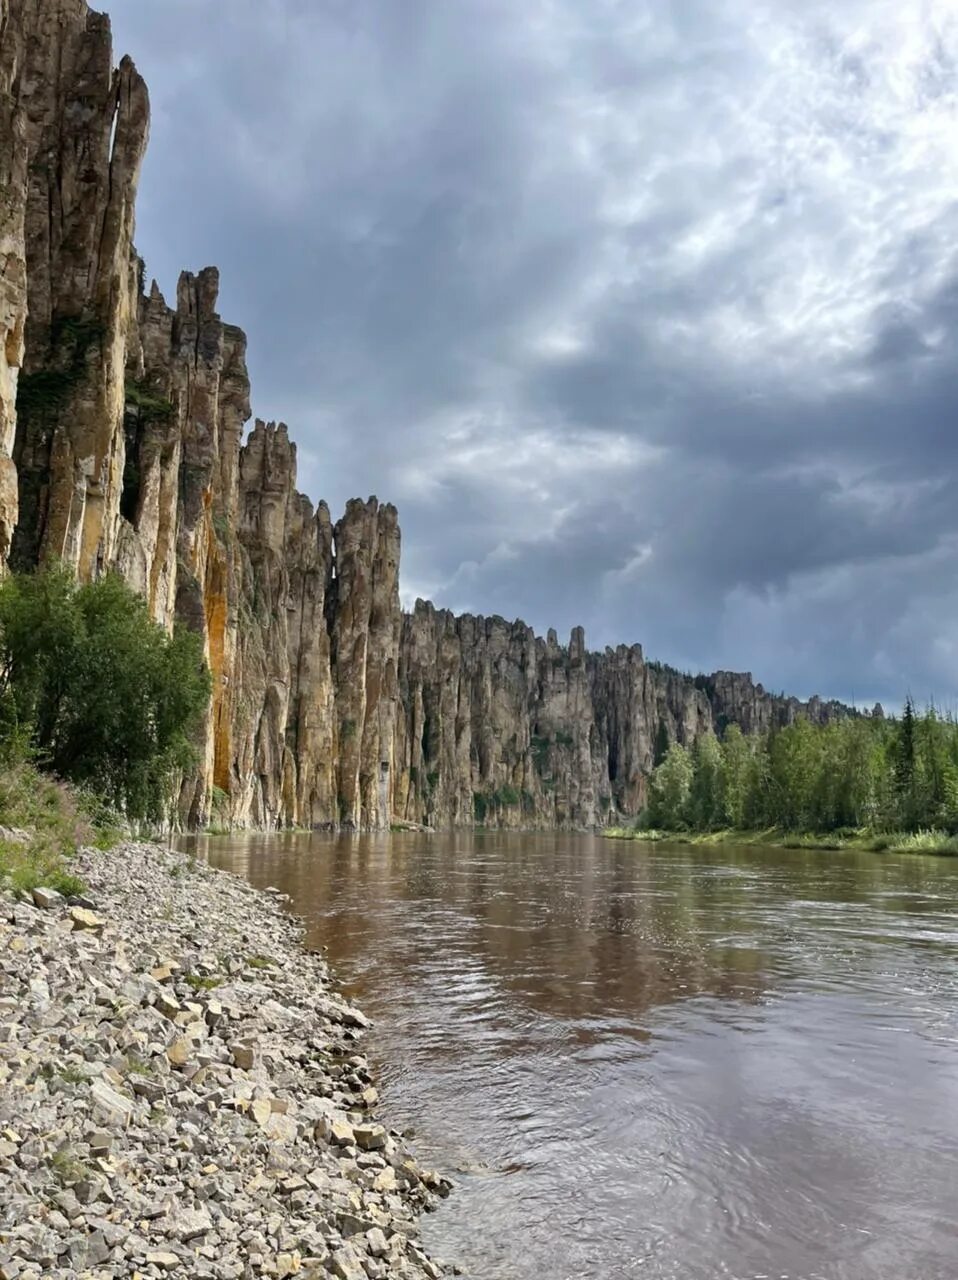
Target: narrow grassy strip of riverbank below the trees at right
{"x":939,"y":843}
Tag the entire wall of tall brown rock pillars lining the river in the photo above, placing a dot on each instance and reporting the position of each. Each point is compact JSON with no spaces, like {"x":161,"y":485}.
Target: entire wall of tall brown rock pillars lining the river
{"x":122,"y":423}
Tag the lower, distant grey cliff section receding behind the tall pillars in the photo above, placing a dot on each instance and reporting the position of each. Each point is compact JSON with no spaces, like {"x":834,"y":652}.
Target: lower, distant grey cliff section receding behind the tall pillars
{"x":504,"y":728}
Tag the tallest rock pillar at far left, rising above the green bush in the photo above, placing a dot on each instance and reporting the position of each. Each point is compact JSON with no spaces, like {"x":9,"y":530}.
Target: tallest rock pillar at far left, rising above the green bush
{"x":85,"y":126}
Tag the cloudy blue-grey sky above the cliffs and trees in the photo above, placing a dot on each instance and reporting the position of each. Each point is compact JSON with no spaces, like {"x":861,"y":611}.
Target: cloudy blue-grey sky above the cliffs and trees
{"x":644,"y":313}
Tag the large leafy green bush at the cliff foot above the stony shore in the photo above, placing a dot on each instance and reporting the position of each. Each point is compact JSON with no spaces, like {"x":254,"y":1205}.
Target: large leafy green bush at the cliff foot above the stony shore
{"x":108,"y":697}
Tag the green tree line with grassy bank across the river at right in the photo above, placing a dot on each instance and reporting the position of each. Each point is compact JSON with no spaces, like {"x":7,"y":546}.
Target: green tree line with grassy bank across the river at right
{"x":870,"y":783}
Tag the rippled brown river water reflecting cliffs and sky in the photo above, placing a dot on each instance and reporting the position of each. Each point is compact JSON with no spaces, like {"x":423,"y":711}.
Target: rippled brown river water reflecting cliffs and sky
{"x":655,"y":1062}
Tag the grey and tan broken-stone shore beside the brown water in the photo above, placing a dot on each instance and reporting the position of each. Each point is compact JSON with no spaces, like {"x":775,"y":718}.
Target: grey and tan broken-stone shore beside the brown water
{"x":183,"y":1091}
